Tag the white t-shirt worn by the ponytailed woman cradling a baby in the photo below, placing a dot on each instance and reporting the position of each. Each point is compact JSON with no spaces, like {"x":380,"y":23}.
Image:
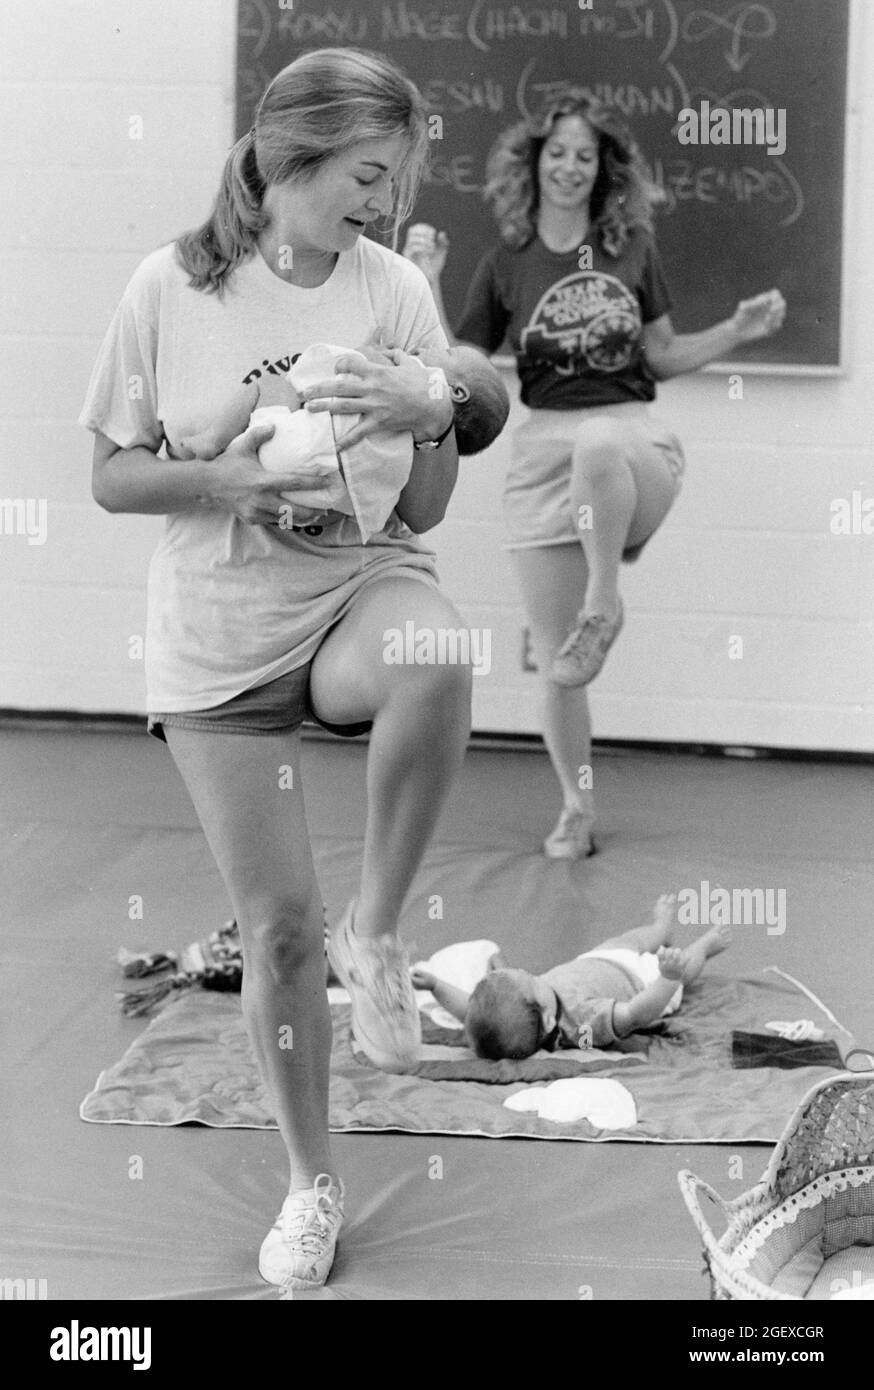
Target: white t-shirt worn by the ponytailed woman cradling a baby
{"x":234,"y":605}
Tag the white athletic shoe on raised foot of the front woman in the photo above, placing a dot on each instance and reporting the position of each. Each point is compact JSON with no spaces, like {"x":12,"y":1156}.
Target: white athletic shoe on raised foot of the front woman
{"x":386,"y":1020}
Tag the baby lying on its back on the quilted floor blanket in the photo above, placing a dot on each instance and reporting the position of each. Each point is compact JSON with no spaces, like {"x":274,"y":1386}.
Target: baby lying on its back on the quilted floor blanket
{"x":595,"y":1000}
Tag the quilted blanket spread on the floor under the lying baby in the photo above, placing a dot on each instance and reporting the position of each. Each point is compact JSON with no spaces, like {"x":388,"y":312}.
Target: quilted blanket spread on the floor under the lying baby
{"x":194,"y":1064}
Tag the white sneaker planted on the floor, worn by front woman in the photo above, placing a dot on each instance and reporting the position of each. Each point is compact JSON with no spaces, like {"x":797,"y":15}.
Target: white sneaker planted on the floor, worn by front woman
{"x":298,"y":1252}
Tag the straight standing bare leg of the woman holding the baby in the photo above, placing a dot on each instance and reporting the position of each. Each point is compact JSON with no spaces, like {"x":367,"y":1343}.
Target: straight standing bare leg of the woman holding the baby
{"x":256,"y":828}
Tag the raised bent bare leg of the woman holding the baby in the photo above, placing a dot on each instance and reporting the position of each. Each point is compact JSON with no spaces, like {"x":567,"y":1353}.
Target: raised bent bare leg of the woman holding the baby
{"x":422,"y":723}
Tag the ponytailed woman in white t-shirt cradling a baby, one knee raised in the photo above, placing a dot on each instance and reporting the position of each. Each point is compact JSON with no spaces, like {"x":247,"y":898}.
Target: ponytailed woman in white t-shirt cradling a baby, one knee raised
{"x":255,"y":625}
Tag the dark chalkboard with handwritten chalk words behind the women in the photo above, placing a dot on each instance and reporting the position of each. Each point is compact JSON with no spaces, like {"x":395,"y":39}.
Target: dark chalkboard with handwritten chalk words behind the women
{"x":736,"y":219}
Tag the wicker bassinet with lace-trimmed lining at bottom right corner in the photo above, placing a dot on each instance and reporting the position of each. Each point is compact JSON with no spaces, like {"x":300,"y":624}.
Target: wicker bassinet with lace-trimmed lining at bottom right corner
{"x":807,"y":1231}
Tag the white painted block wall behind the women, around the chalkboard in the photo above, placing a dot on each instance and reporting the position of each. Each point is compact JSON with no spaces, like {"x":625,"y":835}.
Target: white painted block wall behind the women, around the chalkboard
{"x":747,"y":553}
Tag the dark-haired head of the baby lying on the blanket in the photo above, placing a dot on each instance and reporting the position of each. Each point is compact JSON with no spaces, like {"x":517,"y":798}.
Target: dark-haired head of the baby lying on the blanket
{"x":511,"y":1014}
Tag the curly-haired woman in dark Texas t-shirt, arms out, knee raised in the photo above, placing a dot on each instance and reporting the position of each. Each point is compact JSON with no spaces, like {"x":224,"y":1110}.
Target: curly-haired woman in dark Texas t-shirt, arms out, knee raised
{"x":577,"y":288}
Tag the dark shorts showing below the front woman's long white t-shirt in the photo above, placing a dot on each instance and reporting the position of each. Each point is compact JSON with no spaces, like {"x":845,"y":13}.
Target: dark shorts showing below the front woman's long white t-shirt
{"x":280,"y":705}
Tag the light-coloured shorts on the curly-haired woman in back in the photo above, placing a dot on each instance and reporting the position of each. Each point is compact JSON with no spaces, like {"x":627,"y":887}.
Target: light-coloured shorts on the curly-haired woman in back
{"x":537,"y":498}
